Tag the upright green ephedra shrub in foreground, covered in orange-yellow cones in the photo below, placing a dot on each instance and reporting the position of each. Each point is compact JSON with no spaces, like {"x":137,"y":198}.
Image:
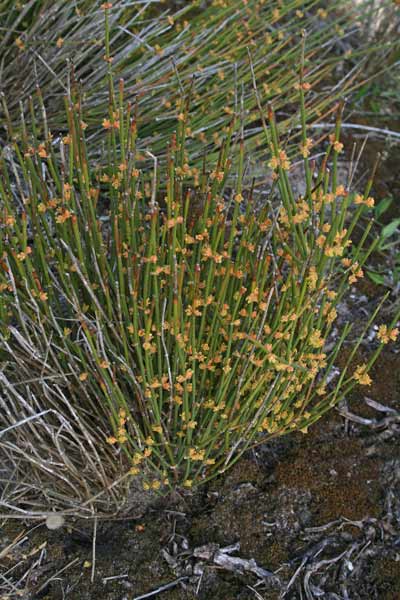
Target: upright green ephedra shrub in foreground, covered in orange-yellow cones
{"x":156,"y":324}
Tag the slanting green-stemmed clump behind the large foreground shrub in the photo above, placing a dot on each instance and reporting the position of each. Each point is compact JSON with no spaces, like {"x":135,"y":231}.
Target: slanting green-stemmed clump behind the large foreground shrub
{"x":158,"y":51}
